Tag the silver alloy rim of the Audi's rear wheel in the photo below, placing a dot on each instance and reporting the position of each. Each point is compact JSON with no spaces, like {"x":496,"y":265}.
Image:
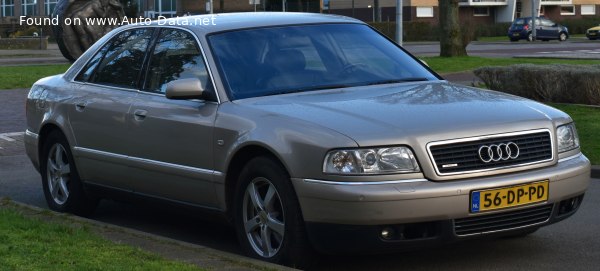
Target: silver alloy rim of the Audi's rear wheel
{"x":58,"y":172}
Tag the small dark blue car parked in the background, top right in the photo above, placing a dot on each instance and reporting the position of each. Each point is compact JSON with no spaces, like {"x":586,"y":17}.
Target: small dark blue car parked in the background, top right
{"x":521,"y":29}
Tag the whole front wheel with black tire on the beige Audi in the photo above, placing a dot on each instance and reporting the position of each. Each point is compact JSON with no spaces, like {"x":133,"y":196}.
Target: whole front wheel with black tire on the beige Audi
{"x":267,"y":216}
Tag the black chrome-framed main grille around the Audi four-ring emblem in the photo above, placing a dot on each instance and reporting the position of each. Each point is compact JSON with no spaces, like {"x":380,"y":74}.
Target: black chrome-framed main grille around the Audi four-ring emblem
{"x":463,"y":156}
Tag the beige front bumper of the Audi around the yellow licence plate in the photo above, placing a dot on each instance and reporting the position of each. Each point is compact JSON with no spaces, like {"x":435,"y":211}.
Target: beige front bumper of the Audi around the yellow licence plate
{"x":368,"y":207}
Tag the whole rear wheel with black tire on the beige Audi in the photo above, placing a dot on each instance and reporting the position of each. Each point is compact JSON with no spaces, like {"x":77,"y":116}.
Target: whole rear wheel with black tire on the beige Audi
{"x":62,"y":186}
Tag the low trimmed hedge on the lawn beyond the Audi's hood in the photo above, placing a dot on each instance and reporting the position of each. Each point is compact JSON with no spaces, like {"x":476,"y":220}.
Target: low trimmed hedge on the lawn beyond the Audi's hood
{"x":546,"y":83}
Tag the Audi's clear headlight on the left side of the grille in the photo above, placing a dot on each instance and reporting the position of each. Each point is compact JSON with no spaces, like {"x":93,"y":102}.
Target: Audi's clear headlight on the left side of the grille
{"x":371,"y":161}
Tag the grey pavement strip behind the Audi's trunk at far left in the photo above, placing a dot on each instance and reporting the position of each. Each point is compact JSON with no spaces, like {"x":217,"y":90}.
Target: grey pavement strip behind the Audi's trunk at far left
{"x":28,"y":57}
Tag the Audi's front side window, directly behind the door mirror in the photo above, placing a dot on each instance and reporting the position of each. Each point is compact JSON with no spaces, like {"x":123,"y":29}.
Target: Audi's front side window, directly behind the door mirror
{"x":176,"y":56}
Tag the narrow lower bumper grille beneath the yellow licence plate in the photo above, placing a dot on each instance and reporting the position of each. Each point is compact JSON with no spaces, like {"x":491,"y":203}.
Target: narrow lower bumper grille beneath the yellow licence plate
{"x":502,"y":221}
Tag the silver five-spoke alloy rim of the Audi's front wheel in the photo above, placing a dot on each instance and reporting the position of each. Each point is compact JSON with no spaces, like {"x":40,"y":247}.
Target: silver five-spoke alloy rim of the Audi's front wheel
{"x":263,"y":217}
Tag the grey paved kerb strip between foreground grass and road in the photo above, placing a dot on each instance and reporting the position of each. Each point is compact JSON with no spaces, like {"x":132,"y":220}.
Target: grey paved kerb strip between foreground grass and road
{"x":203,"y":257}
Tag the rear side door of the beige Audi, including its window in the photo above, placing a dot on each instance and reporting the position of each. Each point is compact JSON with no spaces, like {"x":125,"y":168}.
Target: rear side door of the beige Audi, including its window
{"x":106,"y":88}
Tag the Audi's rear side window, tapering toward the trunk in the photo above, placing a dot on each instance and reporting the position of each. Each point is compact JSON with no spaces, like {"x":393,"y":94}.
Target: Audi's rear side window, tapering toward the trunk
{"x":120,"y":61}
